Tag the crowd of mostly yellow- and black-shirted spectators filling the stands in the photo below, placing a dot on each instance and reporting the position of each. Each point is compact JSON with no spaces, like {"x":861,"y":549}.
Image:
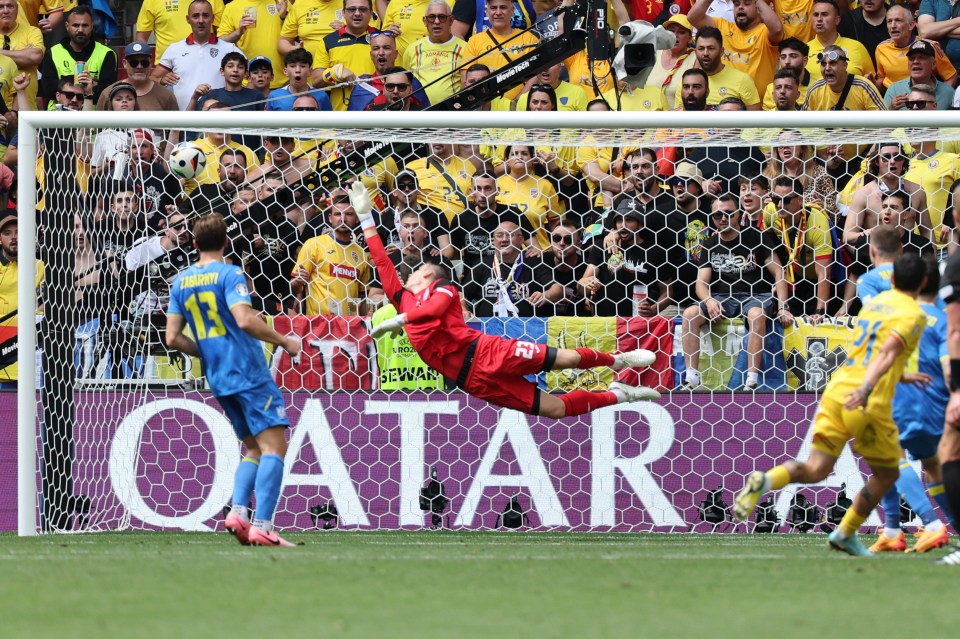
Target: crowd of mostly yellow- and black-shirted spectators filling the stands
{"x":766,"y":233}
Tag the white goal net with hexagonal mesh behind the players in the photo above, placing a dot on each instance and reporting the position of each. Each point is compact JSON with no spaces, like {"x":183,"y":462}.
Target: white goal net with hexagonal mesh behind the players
{"x":731,"y":246}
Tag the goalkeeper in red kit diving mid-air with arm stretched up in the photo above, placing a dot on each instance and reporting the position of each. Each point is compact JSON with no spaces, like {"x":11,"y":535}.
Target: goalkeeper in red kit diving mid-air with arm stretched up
{"x":485,"y":366}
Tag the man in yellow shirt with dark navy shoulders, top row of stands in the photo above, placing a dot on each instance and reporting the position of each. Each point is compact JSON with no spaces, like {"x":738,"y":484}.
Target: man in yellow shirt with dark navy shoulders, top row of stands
{"x":344,"y":55}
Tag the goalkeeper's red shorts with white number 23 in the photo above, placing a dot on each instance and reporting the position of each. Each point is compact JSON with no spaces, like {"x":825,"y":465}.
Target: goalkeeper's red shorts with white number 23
{"x":497,"y":369}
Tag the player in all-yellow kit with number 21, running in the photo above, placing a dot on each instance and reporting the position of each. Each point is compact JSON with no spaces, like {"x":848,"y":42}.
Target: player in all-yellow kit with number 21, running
{"x":857,"y":405}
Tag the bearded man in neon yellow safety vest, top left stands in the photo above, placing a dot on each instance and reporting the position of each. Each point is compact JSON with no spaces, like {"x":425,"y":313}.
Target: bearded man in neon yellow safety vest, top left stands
{"x":60,"y":60}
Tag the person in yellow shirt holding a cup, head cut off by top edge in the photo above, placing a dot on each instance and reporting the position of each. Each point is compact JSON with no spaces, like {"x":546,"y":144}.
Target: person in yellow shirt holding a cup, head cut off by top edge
{"x":254,"y":26}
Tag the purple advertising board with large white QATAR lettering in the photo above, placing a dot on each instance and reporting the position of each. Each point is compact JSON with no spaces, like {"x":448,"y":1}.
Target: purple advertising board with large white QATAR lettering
{"x":167,"y":460}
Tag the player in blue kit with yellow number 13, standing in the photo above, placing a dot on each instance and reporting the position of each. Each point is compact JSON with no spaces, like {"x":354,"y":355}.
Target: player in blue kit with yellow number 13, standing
{"x":213,"y":299}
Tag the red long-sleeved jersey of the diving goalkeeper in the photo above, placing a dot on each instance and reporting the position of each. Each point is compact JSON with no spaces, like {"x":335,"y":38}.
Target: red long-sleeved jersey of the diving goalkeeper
{"x":435,"y":325}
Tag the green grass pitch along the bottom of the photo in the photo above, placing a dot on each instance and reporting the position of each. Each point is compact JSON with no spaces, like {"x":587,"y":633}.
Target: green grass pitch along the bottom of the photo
{"x":467,"y":584}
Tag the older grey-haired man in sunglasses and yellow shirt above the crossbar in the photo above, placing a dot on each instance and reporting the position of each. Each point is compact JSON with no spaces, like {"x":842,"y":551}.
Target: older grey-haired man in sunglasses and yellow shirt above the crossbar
{"x":435,"y":57}
